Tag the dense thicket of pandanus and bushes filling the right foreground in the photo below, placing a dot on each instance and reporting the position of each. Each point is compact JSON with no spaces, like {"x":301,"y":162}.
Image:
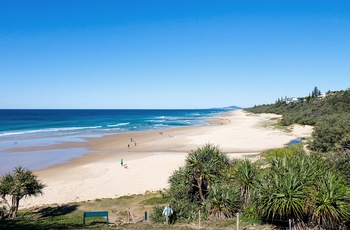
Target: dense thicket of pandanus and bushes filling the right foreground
{"x":292,"y":185}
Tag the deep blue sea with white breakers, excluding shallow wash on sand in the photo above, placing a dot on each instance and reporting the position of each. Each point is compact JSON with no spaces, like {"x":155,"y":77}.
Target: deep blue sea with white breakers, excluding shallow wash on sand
{"x":35,"y":123}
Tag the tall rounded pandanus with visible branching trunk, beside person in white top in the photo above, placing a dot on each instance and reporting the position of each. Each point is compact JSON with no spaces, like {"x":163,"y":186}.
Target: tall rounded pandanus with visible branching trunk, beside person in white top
{"x":202,"y":183}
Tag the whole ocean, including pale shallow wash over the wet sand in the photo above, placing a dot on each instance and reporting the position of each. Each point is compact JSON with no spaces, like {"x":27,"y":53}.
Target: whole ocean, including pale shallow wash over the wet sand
{"x":30,"y":128}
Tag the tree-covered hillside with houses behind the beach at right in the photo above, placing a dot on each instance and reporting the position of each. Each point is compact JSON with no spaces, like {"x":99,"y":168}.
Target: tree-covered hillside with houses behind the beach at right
{"x":330,"y":116}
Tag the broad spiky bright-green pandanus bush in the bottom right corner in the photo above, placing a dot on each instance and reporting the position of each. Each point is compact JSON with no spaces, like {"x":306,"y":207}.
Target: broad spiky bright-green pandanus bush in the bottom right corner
{"x":306,"y":190}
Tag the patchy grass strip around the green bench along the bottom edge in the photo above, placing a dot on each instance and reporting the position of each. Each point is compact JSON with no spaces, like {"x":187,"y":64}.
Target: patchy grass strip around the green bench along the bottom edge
{"x":69,"y":216}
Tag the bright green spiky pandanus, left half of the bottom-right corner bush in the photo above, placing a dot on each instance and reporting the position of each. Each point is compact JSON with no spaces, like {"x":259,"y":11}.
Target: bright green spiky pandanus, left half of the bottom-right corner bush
{"x":285,"y":188}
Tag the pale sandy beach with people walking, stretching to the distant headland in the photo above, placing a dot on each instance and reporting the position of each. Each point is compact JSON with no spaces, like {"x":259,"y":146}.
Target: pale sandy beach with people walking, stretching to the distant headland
{"x":151,"y":157}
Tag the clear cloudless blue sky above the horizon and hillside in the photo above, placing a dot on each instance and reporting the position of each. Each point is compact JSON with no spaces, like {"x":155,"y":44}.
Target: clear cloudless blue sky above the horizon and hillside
{"x":122,"y":54}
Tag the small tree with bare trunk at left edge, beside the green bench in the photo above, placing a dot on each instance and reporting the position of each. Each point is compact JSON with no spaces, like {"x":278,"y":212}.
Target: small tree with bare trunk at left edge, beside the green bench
{"x":16,"y":185}
